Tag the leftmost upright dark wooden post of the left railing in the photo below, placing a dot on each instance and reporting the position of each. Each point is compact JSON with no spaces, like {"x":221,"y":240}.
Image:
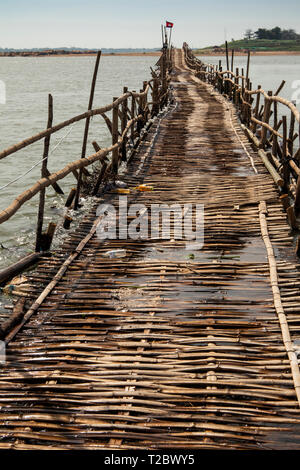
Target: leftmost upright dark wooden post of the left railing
{"x":41,"y":210}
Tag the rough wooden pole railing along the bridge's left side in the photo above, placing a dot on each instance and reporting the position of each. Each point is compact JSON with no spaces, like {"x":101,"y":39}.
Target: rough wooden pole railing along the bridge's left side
{"x":132,"y":115}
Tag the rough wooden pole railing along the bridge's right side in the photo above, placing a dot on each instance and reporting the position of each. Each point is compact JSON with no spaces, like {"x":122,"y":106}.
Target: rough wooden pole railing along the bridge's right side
{"x":276,"y":140}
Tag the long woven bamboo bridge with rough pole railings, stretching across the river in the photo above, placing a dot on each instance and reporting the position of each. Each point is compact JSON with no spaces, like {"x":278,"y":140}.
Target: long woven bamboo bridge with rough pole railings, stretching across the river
{"x":156,"y":350}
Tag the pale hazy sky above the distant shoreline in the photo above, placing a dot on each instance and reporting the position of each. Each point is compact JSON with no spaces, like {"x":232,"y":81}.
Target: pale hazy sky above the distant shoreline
{"x":132,"y":23}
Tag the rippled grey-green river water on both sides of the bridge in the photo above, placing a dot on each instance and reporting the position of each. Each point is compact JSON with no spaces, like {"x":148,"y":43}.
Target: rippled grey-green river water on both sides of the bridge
{"x":29,"y":80}
